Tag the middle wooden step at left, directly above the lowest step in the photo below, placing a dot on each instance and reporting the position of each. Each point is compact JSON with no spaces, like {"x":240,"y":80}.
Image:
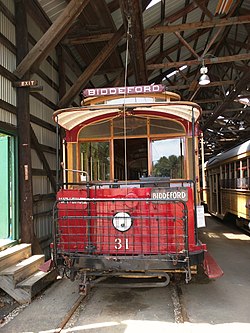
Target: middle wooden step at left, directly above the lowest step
{"x":24,"y":268}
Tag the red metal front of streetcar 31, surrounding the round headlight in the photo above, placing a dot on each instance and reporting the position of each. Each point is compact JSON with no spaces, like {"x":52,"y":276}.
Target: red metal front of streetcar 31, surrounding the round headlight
{"x":158,"y":227}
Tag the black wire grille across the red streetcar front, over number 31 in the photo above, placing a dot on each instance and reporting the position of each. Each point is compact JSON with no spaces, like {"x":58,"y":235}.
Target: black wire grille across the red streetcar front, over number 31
{"x":87,"y":227}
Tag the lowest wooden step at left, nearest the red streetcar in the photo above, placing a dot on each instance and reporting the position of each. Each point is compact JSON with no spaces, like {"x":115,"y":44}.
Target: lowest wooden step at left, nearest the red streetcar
{"x":37,"y":282}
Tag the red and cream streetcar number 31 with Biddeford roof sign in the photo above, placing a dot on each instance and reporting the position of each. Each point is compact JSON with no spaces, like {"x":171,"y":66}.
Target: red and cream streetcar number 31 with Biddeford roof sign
{"x":128,"y":204}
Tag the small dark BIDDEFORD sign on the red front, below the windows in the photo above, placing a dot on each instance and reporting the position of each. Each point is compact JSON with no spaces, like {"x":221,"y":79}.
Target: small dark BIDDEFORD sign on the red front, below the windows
{"x":170,"y":194}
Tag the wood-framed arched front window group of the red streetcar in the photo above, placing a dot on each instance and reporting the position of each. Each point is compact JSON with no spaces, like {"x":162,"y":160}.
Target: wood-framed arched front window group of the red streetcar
{"x":131,"y":148}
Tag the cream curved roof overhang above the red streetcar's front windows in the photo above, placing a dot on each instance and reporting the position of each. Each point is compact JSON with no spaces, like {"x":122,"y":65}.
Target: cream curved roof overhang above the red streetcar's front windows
{"x":72,"y":117}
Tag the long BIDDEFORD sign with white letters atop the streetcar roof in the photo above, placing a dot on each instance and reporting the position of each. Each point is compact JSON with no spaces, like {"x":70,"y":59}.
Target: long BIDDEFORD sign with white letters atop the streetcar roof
{"x":124,"y":90}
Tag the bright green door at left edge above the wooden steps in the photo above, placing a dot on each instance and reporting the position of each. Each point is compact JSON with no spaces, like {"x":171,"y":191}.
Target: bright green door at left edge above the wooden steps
{"x":7,"y":188}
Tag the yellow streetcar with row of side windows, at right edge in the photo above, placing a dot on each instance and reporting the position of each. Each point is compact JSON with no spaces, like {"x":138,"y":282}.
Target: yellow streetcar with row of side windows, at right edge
{"x":227,"y":191}
